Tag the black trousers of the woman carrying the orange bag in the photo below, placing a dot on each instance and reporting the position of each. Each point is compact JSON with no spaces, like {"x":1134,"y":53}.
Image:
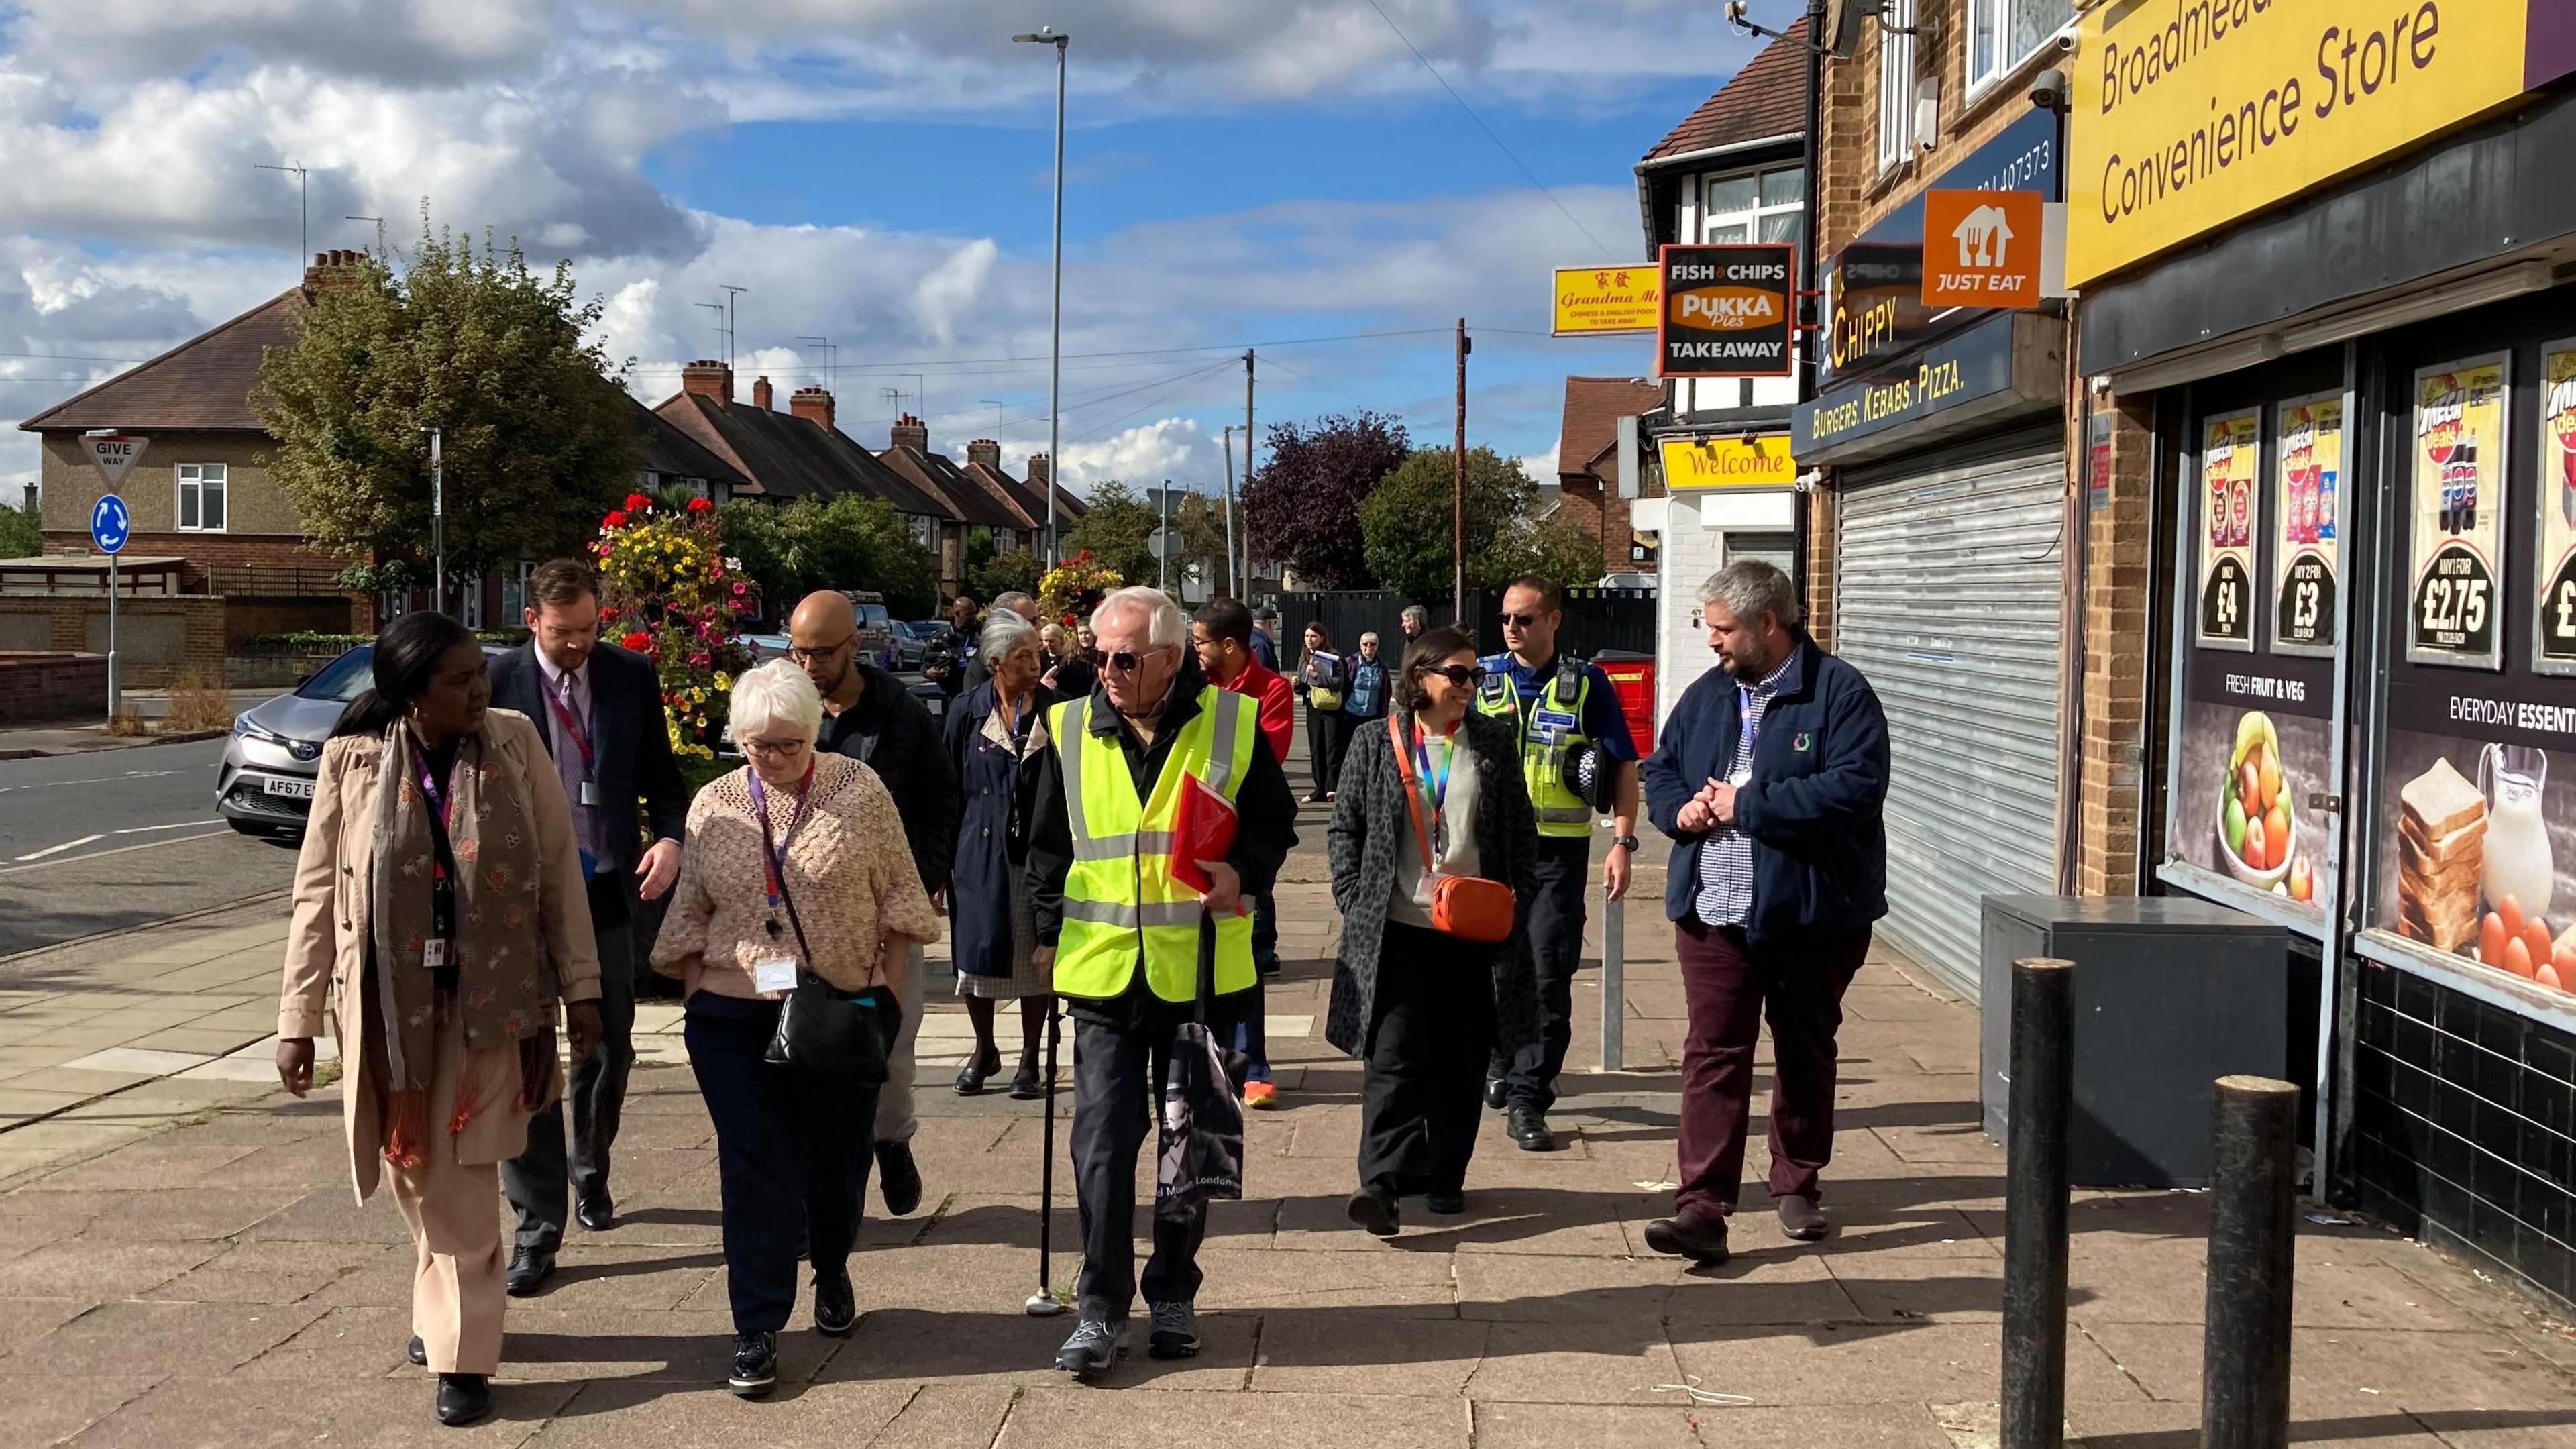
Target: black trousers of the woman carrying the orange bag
{"x":1428,"y":1043}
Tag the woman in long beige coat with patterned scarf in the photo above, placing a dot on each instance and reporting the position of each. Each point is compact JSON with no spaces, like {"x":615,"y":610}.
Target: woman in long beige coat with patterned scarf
{"x":442,"y":919}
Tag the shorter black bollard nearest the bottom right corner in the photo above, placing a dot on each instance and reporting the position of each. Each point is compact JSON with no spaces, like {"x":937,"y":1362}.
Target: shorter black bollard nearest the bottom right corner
{"x":2245,"y":1373}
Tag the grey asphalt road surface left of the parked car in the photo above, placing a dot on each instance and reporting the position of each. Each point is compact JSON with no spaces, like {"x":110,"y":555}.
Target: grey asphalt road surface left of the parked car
{"x":120,"y":839}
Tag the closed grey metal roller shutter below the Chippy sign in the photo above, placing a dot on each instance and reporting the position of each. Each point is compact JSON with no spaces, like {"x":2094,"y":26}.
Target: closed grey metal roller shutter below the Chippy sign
{"x":1949,"y":602}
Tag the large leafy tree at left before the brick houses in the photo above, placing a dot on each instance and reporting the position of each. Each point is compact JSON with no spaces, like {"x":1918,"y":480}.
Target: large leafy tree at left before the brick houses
{"x":537,"y":434}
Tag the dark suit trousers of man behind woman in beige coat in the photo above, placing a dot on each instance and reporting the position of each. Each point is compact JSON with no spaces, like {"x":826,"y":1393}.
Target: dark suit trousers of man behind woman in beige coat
{"x":542,"y":1180}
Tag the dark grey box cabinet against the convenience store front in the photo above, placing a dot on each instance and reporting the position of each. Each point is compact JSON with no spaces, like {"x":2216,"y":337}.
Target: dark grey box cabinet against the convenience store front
{"x":2173,"y":994}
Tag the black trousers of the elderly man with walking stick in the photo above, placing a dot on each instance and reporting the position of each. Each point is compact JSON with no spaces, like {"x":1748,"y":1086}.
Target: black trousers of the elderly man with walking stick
{"x":1117,"y":1102}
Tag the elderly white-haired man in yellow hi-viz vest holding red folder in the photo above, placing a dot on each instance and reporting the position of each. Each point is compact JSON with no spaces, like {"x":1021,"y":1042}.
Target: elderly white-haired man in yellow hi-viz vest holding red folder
{"x":1122,"y":935}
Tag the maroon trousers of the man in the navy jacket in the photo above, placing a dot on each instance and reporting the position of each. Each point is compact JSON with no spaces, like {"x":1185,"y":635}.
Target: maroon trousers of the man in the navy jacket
{"x":1730,"y":989}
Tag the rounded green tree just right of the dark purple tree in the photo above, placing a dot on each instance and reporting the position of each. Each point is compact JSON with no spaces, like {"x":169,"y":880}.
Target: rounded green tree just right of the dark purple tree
{"x":1408,"y":525}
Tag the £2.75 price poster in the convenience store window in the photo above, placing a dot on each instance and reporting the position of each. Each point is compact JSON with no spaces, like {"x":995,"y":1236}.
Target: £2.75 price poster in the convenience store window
{"x":2456,"y":522}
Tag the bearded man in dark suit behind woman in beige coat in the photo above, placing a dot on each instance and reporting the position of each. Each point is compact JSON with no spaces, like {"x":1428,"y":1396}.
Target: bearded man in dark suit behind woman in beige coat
{"x":599,"y":713}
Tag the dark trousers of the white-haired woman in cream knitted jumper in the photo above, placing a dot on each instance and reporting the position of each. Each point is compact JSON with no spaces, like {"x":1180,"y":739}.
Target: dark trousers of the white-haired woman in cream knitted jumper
{"x":792,"y":1156}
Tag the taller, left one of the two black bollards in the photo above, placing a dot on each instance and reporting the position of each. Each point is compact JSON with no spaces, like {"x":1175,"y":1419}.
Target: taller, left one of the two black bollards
{"x":2036,"y":1203}
